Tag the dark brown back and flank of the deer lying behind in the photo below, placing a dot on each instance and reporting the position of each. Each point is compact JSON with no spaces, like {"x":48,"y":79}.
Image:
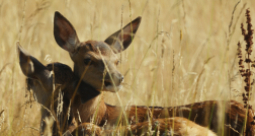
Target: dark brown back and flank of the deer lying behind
{"x":207,"y":114}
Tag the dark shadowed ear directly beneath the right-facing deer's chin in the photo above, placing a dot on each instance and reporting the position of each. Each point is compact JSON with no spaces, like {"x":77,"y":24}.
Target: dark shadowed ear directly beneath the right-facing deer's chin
{"x":87,"y":92}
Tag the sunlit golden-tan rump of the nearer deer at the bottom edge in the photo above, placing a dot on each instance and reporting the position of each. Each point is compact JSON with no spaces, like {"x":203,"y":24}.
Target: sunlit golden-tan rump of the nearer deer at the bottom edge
{"x":176,"y":126}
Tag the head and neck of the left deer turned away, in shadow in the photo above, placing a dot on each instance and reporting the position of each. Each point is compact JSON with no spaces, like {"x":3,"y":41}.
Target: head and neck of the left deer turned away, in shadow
{"x":40,"y":80}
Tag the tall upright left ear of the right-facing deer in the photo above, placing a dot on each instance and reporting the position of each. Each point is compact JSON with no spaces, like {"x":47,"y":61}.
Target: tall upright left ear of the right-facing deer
{"x":64,"y":33}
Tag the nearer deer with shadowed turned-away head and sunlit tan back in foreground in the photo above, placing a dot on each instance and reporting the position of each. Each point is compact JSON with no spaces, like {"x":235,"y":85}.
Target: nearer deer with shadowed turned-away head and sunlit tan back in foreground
{"x":40,"y":80}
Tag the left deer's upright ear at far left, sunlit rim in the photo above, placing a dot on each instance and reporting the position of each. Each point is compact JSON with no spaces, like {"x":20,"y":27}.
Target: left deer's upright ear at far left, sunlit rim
{"x":31,"y":67}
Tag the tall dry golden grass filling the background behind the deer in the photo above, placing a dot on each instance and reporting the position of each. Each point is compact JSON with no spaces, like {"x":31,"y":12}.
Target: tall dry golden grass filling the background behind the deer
{"x":184,"y":51}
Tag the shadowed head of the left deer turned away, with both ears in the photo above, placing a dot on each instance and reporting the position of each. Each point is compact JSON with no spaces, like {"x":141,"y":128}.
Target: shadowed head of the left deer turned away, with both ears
{"x":40,"y":79}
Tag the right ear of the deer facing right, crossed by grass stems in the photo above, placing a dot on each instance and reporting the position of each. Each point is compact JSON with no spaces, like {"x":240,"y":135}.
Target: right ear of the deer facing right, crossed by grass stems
{"x":121,"y":39}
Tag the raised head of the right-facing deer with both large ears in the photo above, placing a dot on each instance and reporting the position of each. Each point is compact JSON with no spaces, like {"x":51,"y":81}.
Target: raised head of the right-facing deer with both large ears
{"x":97,"y":59}
